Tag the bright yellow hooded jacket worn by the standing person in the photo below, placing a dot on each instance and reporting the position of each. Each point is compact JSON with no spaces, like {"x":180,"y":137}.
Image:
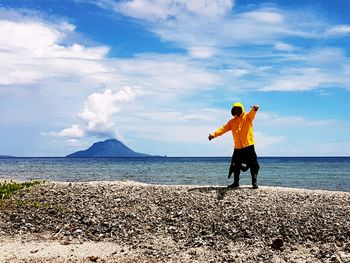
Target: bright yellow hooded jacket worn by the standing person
{"x":241,"y":127}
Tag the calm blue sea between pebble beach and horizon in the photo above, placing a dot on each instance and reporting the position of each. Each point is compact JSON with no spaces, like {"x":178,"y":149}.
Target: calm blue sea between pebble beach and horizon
{"x":326,"y":173}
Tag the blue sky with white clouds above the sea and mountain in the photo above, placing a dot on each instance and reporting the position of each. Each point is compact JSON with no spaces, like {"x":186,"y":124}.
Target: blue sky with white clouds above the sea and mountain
{"x":160,"y":75}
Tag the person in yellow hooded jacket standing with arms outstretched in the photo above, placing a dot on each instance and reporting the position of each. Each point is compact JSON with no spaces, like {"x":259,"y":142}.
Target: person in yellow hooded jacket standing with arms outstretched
{"x":244,"y":153}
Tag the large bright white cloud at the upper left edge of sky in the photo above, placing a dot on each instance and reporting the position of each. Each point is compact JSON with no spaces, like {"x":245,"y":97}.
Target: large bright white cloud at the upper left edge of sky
{"x":35,"y":53}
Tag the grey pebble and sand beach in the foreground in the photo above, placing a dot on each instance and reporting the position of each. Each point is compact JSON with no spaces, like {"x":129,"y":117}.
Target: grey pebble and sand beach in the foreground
{"x":125,"y":221}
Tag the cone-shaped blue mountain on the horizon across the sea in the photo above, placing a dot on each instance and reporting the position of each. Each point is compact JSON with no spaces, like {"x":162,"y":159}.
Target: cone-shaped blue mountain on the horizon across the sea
{"x":108,"y":148}
